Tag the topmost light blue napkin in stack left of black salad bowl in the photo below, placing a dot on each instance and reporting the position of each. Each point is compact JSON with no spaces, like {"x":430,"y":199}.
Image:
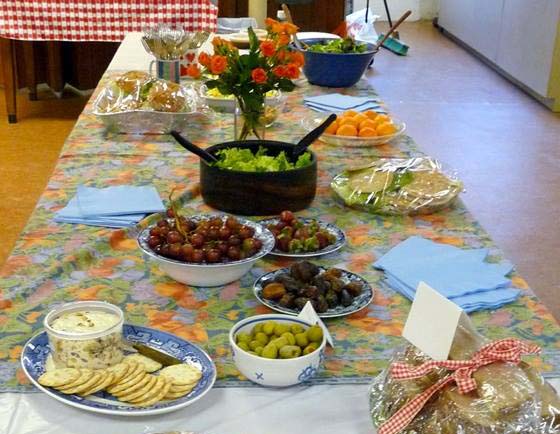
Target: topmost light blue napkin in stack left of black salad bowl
{"x":119,"y":200}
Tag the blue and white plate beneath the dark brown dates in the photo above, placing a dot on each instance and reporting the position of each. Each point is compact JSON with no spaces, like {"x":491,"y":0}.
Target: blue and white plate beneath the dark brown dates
{"x":358,"y":303}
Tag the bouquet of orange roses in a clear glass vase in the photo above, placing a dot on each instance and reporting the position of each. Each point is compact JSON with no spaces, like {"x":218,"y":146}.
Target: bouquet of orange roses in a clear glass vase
{"x":268,"y":65}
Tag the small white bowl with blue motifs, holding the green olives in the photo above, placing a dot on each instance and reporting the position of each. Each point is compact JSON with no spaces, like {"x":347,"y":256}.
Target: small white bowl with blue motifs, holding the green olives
{"x":274,"y":372}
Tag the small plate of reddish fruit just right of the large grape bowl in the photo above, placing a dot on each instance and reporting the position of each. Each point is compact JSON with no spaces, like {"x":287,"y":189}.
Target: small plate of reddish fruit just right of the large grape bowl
{"x":300,"y":237}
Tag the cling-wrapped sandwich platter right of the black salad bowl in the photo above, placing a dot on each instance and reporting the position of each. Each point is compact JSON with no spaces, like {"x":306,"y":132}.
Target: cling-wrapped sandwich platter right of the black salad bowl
{"x":398,"y":186}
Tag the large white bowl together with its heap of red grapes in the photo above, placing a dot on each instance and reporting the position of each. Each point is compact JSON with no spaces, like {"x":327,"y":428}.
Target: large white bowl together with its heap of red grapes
{"x":205,"y":250}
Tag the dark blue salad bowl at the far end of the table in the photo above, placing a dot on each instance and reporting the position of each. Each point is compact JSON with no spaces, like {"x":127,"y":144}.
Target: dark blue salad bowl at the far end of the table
{"x":333,"y":69}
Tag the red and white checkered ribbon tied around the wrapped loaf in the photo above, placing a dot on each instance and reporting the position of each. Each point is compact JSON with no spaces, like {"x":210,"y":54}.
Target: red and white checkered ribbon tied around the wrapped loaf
{"x":505,"y":350}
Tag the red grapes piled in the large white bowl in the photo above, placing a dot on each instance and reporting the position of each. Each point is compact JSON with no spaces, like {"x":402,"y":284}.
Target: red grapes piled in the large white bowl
{"x":213,"y":240}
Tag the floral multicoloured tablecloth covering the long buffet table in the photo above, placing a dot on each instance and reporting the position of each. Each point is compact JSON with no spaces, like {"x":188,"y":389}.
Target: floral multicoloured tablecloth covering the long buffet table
{"x":56,"y":263}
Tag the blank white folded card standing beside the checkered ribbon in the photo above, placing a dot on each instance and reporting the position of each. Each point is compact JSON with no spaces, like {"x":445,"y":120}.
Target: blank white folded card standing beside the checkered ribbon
{"x":432,"y":322}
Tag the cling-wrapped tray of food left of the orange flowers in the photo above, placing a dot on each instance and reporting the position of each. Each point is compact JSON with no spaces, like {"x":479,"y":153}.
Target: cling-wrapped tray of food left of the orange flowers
{"x":137,"y":102}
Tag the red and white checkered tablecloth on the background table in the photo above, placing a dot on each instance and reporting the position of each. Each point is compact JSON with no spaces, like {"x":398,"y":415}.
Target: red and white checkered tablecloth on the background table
{"x":99,"y":20}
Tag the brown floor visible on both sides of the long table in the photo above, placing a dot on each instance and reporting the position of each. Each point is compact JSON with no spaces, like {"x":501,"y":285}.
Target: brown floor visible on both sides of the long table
{"x":505,"y":146}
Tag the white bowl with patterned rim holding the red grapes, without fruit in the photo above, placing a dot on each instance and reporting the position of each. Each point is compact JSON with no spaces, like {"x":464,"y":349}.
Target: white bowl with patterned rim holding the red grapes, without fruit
{"x":209,"y":274}
